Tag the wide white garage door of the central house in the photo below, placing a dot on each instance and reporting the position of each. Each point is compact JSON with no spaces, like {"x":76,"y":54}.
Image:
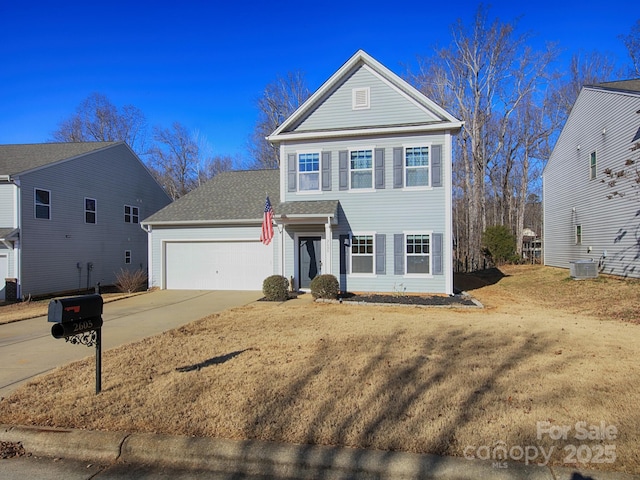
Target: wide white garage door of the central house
{"x":217,"y":265}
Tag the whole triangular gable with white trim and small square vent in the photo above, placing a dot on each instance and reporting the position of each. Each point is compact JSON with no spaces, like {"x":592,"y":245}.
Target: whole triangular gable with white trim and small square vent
{"x":364,"y":98}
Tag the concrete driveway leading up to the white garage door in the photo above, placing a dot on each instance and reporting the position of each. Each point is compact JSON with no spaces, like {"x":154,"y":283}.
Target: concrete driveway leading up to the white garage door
{"x":27,"y":348}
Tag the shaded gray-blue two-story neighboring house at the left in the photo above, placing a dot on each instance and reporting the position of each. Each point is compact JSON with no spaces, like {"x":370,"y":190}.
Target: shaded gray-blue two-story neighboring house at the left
{"x":70,"y":214}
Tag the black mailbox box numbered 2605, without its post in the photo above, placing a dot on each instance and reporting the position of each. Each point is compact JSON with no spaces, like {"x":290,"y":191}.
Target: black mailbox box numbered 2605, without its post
{"x":75,"y":315}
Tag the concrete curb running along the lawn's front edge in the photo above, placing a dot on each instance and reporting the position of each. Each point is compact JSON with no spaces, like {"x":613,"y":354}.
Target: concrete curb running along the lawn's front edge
{"x":103,"y":455}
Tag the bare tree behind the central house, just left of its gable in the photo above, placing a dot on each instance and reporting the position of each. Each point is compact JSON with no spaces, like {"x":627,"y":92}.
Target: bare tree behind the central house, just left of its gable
{"x":279,"y":100}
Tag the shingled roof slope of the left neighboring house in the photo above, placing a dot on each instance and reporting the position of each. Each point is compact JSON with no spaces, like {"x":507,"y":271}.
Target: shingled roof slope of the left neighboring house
{"x":17,"y":159}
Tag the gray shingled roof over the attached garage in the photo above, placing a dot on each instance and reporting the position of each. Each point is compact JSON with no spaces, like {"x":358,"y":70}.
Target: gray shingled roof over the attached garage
{"x":235,"y":196}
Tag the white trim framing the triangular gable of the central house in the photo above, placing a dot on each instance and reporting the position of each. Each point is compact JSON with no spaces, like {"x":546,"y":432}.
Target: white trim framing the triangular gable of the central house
{"x":435,"y":117}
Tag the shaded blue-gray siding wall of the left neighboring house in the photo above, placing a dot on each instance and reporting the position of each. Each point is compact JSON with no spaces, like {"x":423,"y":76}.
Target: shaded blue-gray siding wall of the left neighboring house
{"x":52,"y":250}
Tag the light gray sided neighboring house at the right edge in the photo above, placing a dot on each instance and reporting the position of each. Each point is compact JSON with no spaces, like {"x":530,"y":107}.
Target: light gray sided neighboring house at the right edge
{"x":580,"y":221}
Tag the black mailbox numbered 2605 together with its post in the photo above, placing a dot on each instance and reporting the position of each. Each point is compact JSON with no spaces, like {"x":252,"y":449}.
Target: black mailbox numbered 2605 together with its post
{"x":79,"y":321}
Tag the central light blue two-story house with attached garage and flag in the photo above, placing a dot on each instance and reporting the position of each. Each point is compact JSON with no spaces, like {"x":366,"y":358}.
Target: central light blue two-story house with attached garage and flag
{"x":363,"y":193}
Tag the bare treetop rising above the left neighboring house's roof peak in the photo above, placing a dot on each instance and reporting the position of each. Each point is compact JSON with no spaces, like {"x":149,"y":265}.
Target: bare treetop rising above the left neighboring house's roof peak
{"x":97,"y":119}
